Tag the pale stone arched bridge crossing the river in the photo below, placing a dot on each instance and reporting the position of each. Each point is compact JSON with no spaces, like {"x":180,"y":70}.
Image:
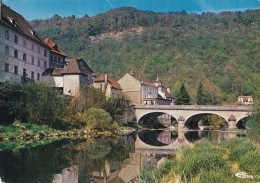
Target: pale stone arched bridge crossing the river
{"x":182,"y":113}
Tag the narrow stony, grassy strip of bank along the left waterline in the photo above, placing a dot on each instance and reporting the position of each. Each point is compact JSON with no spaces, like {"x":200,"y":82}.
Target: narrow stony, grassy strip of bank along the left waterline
{"x":25,"y":135}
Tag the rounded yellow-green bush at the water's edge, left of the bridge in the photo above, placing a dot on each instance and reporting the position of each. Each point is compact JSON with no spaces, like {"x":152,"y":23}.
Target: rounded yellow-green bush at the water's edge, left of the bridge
{"x":98,"y":119}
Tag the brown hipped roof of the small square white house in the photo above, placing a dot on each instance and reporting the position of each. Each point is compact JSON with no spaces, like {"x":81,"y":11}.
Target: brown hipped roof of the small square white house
{"x":77,"y":66}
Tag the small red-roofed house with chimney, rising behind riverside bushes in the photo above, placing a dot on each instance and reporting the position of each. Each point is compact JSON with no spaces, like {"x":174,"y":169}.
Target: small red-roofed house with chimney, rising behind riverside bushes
{"x":108,"y":85}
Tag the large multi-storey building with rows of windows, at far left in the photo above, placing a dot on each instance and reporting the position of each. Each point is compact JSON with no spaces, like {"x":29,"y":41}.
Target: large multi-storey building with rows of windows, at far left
{"x":22,"y":52}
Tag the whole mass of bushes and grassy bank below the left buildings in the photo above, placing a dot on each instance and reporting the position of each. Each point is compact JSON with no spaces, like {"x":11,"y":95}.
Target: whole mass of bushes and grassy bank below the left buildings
{"x":34,"y":111}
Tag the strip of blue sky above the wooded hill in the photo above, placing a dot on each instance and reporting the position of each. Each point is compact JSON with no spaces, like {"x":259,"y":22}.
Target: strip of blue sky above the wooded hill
{"x":42,"y":9}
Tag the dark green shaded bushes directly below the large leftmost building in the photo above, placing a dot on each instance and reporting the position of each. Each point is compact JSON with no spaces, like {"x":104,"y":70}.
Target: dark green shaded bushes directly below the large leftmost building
{"x":33,"y":102}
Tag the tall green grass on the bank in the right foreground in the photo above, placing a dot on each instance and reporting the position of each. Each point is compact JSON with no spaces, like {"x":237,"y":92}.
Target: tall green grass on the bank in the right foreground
{"x":206,"y":161}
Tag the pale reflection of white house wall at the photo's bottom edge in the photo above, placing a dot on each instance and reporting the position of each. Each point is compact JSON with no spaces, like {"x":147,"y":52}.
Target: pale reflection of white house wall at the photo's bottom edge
{"x":68,"y":175}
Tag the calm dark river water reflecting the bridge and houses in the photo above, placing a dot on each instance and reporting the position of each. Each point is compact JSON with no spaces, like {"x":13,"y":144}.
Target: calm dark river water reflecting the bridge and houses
{"x":103,"y":159}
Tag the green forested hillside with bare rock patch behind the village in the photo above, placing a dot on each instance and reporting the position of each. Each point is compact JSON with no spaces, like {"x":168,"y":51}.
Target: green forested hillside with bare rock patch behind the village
{"x":220,"y":50}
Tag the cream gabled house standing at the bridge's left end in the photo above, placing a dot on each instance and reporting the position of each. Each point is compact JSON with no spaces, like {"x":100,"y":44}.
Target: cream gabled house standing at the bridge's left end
{"x":138,"y":90}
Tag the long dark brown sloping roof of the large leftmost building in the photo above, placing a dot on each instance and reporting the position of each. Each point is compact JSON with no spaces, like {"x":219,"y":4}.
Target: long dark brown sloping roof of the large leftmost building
{"x":18,"y":23}
